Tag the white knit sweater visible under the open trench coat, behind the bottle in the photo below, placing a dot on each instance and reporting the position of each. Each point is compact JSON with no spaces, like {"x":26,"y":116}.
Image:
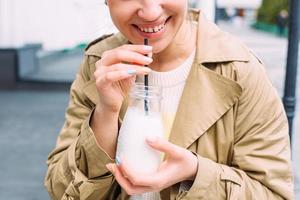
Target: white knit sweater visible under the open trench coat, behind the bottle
{"x":172,"y":84}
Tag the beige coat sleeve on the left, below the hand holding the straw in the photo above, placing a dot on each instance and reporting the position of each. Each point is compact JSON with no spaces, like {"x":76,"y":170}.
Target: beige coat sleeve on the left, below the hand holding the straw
{"x":76,"y":167}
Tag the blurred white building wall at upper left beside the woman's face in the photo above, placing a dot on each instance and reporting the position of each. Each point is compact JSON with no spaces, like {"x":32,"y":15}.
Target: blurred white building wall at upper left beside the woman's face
{"x":56,"y":24}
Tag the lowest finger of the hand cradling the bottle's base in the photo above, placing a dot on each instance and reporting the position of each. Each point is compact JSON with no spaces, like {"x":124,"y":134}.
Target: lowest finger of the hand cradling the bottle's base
{"x":125,"y":183}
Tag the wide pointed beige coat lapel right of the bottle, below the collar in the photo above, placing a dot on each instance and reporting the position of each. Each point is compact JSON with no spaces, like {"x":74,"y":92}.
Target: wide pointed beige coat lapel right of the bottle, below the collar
{"x":206,"y":97}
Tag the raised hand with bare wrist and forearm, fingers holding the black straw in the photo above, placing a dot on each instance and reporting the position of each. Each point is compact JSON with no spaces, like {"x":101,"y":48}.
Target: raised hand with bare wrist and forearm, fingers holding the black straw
{"x":115,"y":73}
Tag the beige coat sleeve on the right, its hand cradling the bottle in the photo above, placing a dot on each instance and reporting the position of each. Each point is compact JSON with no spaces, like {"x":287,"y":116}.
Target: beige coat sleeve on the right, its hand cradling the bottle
{"x":261,"y":164}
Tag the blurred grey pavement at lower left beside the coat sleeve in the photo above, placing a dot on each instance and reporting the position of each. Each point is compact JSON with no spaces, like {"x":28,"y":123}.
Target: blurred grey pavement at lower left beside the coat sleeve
{"x":30,"y":122}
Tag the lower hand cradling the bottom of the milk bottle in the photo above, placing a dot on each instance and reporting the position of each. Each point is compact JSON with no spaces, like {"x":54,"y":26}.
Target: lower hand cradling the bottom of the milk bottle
{"x":179,"y":165}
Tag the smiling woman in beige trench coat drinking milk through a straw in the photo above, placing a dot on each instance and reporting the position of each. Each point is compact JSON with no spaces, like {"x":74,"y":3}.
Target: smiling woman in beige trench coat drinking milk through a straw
{"x":228,"y":136}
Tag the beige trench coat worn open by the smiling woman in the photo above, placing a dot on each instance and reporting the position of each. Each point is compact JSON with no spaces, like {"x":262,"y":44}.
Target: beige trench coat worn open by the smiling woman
{"x":229,"y":115}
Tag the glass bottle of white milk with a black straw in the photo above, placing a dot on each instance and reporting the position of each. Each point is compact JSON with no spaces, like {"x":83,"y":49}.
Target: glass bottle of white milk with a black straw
{"x":142,"y":120}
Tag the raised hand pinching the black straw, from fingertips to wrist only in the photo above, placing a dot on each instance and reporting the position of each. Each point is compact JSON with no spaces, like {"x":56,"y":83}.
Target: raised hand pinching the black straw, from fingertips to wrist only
{"x":116,"y":72}
